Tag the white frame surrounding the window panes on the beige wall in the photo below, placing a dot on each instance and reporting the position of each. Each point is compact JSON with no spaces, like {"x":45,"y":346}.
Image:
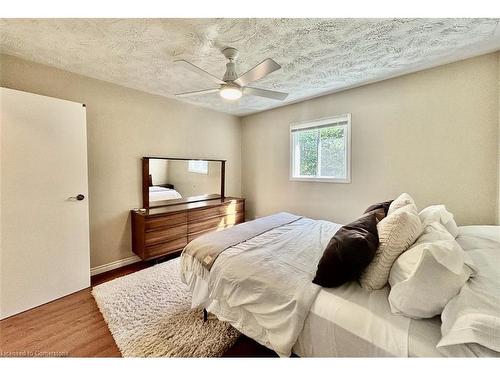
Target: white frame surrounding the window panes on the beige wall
{"x":334,"y":120}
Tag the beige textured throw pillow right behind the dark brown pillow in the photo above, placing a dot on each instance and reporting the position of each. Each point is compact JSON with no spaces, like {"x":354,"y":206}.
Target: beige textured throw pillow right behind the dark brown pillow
{"x":396,"y":233}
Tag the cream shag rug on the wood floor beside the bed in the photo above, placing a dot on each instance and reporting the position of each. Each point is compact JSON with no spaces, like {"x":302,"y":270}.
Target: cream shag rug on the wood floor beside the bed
{"x":149,"y":315}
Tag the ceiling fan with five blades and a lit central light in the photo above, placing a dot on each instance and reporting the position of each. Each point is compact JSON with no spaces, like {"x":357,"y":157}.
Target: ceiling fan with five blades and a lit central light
{"x":232,"y":87}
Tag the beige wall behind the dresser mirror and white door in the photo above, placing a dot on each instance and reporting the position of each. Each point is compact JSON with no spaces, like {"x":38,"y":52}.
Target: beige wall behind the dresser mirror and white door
{"x":123,"y":125}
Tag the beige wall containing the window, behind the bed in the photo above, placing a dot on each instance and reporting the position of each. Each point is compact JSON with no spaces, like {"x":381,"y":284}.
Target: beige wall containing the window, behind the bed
{"x":432,"y":134}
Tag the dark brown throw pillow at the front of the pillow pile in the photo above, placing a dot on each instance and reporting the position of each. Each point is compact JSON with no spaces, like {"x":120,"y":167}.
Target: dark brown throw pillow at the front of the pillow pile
{"x":349,"y":251}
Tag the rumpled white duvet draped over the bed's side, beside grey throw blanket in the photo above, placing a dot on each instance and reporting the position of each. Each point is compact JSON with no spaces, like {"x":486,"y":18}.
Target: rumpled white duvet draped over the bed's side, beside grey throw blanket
{"x":263,"y":286}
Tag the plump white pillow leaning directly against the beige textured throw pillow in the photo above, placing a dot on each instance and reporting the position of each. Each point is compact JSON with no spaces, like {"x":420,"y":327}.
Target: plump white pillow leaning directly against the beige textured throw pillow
{"x":427,"y":276}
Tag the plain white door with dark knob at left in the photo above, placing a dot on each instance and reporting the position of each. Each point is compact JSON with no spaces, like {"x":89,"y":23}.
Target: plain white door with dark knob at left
{"x":44,"y":248}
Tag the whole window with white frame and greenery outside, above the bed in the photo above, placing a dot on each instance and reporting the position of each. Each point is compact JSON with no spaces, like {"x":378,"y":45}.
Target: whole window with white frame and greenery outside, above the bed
{"x":320,"y":150}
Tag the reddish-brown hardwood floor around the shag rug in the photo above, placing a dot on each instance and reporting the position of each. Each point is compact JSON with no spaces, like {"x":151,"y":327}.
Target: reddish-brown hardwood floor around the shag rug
{"x":72,"y":326}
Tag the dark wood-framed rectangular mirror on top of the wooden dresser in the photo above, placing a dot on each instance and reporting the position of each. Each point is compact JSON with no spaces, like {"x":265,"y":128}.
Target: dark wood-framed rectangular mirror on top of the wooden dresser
{"x":168,"y":181}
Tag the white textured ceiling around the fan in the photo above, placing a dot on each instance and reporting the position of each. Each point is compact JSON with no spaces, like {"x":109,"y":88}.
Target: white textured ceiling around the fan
{"x":317,"y":55}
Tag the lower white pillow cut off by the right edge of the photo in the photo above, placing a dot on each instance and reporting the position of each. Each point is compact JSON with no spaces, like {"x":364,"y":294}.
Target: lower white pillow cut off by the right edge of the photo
{"x":473,"y":316}
